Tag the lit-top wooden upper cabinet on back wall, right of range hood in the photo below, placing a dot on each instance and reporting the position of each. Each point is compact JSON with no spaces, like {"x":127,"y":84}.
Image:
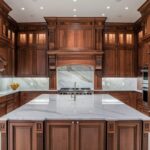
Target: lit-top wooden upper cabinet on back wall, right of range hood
{"x":119,"y":53}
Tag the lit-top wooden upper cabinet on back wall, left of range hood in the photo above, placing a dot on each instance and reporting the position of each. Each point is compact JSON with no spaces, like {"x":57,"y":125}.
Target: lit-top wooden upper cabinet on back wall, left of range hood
{"x":32,"y":47}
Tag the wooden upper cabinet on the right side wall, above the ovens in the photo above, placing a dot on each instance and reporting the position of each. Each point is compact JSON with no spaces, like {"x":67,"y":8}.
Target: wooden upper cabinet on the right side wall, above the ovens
{"x":144,"y":36}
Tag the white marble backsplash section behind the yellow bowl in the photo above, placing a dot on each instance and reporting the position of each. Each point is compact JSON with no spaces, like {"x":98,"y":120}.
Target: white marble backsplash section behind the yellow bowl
{"x":25,"y":83}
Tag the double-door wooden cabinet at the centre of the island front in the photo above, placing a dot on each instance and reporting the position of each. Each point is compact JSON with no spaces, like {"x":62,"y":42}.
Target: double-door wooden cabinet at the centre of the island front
{"x":75,"y":135}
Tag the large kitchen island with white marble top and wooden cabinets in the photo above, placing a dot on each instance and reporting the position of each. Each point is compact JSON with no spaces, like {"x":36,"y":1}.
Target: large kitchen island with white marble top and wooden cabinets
{"x":92,"y":122}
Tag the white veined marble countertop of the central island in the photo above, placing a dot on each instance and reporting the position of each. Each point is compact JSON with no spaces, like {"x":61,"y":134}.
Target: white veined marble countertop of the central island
{"x":86,"y":107}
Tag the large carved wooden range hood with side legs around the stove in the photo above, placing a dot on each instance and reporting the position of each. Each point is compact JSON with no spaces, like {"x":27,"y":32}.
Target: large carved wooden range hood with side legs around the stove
{"x":76,"y":40}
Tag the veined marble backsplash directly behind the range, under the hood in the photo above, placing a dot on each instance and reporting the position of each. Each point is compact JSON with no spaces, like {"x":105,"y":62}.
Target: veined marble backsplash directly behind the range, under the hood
{"x":82,"y":75}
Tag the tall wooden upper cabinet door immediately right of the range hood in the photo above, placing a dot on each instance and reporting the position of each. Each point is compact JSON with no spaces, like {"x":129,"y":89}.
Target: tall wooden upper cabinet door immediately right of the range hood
{"x":110,"y":63}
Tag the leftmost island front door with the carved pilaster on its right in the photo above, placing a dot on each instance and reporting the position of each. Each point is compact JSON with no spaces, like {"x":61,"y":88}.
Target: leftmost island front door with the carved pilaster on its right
{"x":25,"y":135}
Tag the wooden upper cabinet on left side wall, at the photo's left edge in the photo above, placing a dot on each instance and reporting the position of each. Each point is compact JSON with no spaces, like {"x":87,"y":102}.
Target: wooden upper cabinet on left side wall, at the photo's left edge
{"x":7,"y":40}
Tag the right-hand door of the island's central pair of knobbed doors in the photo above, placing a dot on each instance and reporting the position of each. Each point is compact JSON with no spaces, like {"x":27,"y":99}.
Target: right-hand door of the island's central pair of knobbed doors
{"x":90,"y":135}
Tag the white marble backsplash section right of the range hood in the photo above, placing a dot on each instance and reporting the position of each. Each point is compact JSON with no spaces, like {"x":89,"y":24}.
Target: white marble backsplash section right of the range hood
{"x":119,"y":84}
